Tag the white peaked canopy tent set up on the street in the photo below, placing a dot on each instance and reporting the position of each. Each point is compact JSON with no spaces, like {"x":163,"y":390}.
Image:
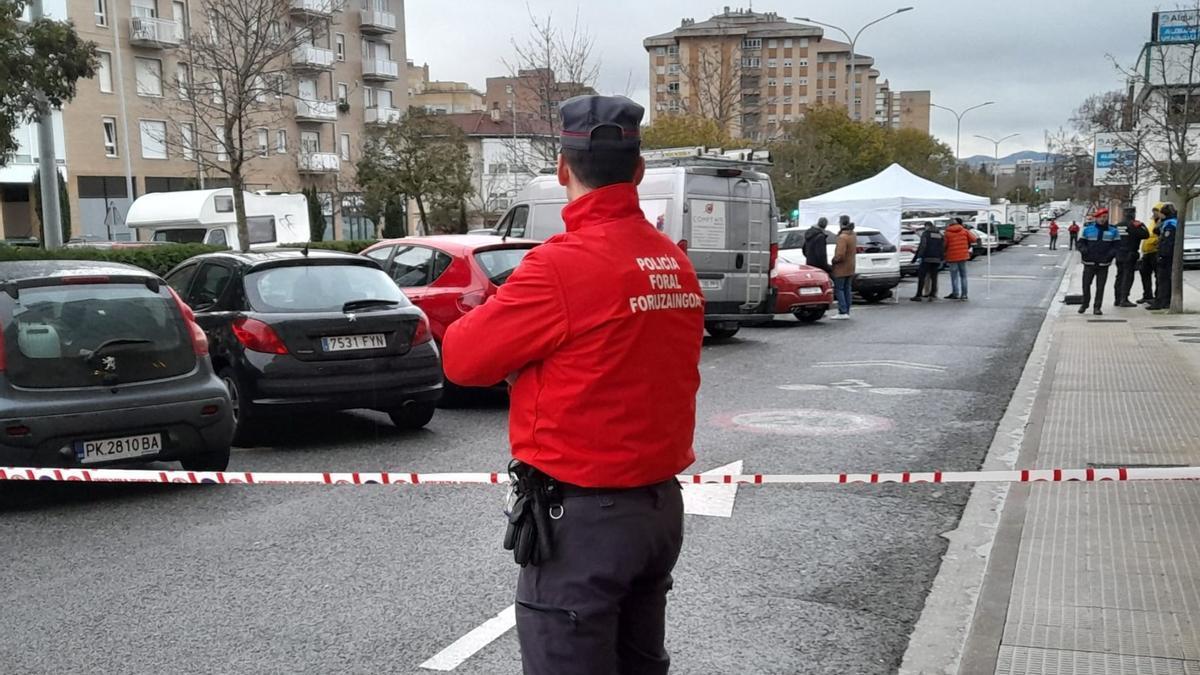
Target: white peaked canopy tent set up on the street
{"x":880,"y":201}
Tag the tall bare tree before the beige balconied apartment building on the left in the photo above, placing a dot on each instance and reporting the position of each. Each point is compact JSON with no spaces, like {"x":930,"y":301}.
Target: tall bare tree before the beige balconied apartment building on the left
{"x":235,"y":80}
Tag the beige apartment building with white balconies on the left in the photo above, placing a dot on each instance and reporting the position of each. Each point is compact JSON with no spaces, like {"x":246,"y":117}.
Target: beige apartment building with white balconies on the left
{"x":349,"y":77}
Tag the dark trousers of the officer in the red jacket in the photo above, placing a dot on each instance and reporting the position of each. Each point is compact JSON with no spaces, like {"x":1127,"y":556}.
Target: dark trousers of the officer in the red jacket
{"x":598,"y":607}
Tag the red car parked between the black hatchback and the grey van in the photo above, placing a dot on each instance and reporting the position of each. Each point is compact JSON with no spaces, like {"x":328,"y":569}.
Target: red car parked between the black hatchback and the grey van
{"x":449,"y":276}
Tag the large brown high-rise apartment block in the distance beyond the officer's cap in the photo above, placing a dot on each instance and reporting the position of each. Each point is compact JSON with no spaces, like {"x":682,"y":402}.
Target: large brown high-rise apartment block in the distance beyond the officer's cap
{"x":755,"y":73}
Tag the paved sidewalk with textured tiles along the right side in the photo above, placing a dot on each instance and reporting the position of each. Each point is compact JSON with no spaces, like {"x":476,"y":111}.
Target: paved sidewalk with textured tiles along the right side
{"x":1095,"y":577}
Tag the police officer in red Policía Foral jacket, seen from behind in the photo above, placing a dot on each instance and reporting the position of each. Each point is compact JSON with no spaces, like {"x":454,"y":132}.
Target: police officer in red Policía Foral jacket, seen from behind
{"x":599,"y":331}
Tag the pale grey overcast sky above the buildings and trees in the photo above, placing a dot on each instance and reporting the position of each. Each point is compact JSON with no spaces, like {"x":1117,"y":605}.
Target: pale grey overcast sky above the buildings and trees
{"x":1037,"y":59}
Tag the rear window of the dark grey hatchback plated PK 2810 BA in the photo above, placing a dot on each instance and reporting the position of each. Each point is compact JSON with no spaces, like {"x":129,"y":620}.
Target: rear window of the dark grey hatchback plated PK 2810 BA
{"x":92,"y":334}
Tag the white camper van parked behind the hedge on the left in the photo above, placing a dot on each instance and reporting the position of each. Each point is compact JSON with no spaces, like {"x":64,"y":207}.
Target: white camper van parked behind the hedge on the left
{"x":207,"y":217}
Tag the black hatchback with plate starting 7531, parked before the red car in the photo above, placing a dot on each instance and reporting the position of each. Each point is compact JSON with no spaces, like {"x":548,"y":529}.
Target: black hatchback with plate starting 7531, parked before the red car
{"x":311,"y":331}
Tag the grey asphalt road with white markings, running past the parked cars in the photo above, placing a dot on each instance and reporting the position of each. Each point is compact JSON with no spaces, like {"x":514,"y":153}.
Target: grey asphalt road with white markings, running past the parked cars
{"x":293,"y":580}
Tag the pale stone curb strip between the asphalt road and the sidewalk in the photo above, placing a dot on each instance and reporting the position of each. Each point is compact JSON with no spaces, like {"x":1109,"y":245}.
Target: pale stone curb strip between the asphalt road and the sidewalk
{"x":939,"y":642}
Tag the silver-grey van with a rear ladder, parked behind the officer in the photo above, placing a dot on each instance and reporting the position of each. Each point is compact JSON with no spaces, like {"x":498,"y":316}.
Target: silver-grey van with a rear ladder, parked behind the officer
{"x":724,"y":218}
